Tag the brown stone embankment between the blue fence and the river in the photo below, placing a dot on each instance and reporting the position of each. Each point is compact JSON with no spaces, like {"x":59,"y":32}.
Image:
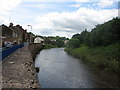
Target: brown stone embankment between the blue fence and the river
{"x":18,"y":70}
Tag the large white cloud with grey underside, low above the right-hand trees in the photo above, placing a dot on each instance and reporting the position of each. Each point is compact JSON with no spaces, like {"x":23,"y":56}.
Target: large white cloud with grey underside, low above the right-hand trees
{"x":73,"y":22}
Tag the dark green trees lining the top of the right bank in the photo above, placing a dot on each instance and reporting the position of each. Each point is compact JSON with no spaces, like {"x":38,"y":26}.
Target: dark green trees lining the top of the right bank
{"x":102,"y":35}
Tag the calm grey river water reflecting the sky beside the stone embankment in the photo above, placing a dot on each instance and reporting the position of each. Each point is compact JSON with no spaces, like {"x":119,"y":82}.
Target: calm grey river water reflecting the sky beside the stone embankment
{"x":60,"y":70}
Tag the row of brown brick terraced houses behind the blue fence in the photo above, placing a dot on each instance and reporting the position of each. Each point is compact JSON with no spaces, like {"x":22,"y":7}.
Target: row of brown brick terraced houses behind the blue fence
{"x":13,"y":35}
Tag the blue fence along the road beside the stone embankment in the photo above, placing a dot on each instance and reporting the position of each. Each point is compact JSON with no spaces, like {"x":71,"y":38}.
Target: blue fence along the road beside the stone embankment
{"x":10,"y":50}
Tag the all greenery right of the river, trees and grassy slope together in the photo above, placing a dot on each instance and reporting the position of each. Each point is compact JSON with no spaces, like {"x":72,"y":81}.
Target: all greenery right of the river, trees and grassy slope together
{"x":100,"y":47}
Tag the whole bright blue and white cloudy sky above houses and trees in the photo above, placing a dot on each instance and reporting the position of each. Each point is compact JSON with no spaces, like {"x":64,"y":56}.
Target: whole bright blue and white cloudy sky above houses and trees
{"x":57,"y":17}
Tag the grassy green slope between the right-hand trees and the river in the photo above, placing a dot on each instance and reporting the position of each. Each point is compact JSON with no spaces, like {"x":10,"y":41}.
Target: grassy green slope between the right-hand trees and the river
{"x":107,"y":58}
